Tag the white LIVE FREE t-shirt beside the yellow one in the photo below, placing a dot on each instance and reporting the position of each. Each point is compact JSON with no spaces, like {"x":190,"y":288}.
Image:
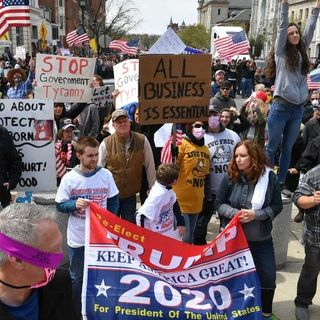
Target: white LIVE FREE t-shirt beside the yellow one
{"x":221,"y":145}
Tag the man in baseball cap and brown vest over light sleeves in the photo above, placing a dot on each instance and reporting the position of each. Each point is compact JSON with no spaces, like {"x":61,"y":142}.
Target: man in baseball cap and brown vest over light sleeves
{"x":124,"y":153}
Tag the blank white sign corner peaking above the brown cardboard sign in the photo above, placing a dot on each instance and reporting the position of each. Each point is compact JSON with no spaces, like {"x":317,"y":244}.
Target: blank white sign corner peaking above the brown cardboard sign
{"x":169,"y":42}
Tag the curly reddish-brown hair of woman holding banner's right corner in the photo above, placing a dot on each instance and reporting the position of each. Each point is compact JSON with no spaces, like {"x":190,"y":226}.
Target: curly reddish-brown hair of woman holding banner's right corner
{"x":258,"y":162}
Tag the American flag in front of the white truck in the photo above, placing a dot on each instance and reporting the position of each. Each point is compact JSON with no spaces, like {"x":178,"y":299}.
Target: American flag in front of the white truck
{"x":230,"y":46}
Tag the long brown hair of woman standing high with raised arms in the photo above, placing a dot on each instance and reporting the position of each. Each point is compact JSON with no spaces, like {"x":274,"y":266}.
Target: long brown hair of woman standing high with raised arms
{"x":291,"y":56}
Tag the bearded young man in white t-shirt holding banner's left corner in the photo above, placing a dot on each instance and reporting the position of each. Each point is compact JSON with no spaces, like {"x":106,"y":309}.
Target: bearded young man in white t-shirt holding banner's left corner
{"x":84,"y":183}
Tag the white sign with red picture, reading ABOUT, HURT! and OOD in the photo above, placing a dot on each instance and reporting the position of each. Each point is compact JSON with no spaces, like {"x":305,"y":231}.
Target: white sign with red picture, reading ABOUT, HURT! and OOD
{"x":30,"y":123}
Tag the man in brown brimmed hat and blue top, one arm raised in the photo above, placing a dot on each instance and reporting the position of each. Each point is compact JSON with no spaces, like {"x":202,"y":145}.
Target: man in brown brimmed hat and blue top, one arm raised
{"x":20,"y":85}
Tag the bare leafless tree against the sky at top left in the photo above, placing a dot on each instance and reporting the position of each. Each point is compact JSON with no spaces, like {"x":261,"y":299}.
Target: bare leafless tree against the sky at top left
{"x":111,"y":17}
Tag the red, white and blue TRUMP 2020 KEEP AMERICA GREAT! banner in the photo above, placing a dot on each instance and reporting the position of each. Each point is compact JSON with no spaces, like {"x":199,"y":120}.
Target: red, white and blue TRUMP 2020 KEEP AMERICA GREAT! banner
{"x":133,"y":273}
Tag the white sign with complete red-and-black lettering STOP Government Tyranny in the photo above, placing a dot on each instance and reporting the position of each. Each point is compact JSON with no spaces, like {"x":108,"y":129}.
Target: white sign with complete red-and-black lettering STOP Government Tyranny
{"x":64,"y":79}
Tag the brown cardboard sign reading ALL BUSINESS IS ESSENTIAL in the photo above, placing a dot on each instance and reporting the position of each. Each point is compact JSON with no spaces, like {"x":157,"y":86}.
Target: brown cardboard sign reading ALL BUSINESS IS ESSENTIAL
{"x":174,"y":88}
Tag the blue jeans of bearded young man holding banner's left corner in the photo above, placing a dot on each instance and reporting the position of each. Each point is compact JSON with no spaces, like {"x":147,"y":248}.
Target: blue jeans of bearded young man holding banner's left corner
{"x":76,"y":256}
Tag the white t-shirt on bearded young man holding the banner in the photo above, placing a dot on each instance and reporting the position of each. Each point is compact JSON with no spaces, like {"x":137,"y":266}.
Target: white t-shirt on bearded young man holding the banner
{"x":98,"y":188}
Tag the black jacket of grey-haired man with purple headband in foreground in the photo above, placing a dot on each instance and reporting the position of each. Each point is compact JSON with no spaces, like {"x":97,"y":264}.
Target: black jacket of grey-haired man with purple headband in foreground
{"x":55,"y":300}
